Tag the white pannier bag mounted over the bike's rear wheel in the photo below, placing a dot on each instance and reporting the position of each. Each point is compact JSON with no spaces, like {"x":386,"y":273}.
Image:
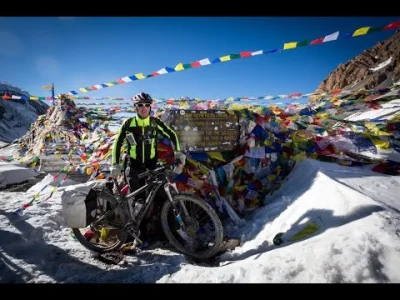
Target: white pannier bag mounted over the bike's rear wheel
{"x":80,"y":202}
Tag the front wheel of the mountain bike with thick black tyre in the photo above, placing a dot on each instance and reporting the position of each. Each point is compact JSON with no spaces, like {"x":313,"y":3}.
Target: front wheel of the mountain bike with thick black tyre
{"x":202,"y":234}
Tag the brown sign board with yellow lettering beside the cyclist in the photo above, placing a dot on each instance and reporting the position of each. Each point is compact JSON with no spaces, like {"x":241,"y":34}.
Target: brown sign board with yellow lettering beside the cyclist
{"x":206,"y":130}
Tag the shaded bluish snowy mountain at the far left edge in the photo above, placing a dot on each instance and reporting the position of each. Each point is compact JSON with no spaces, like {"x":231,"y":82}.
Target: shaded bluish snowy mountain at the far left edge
{"x":17,"y":115}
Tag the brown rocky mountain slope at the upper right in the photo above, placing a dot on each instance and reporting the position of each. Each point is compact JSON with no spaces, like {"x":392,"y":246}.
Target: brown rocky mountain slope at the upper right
{"x":374,"y":68}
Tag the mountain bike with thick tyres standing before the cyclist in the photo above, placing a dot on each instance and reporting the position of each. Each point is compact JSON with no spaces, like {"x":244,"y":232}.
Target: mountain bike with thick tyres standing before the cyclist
{"x":189,"y":223}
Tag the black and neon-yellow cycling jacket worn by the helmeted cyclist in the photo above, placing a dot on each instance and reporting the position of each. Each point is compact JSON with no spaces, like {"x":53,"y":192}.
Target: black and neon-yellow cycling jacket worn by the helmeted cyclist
{"x":145,"y":133}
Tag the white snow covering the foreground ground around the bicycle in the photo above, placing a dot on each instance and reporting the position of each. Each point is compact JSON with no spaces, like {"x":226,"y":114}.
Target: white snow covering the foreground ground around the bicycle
{"x":358,"y":211}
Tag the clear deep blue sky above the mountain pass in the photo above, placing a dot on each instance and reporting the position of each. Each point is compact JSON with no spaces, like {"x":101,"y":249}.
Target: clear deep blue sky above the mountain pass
{"x":83,"y":51}
